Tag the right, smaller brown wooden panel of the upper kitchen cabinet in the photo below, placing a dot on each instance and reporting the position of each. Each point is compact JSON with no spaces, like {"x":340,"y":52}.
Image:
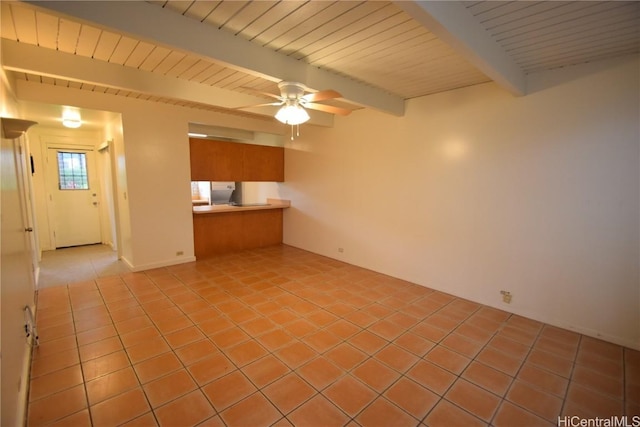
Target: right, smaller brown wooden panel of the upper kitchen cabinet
{"x":262,"y":163}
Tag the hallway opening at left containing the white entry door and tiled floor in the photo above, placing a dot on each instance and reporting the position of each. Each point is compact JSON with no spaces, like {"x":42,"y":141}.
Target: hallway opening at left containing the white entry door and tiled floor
{"x":74,"y":195}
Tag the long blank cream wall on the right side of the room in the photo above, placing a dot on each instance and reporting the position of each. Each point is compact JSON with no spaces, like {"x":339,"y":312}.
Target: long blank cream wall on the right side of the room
{"x":475,"y":191}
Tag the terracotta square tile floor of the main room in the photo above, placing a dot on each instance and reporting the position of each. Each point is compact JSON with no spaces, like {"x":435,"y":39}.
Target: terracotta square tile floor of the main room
{"x":280,"y":336}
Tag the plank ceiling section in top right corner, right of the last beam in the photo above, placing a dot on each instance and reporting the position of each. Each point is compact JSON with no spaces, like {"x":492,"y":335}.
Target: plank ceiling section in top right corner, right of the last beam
{"x":544,"y":35}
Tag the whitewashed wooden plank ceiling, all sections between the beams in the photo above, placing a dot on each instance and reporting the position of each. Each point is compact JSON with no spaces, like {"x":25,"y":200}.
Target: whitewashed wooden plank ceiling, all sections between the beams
{"x":375,"y":43}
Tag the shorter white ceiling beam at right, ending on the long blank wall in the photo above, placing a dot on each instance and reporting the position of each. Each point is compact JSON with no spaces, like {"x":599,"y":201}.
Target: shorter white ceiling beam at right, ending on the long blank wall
{"x":451,"y":22}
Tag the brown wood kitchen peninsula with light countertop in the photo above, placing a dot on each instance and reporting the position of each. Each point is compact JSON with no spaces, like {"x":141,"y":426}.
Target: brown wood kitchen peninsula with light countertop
{"x":220,"y":229}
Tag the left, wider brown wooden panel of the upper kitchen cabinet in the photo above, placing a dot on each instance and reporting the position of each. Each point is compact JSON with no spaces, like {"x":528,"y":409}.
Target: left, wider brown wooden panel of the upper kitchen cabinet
{"x":216,"y":160}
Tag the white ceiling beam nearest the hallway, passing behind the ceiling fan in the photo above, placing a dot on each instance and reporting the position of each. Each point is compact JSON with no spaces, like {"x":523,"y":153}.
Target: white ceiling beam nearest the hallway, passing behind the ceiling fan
{"x":26,"y":58}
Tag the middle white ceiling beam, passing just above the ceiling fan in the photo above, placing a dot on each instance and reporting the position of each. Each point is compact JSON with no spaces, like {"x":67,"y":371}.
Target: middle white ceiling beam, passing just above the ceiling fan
{"x":156,"y":25}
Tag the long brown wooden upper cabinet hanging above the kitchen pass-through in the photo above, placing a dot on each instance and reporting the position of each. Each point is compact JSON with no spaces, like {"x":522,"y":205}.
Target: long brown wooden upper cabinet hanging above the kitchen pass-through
{"x":231,"y":161}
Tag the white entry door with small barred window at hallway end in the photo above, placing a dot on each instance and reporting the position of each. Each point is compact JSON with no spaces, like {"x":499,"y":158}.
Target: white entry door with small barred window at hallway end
{"x":73,"y":197}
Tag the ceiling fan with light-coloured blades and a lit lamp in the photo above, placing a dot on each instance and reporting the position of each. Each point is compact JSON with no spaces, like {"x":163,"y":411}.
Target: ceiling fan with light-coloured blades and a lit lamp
{"x":295,"y":98}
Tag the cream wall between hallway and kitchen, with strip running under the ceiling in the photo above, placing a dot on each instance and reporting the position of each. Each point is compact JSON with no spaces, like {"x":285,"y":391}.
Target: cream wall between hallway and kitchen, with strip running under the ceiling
{"x":152,"y":151}
